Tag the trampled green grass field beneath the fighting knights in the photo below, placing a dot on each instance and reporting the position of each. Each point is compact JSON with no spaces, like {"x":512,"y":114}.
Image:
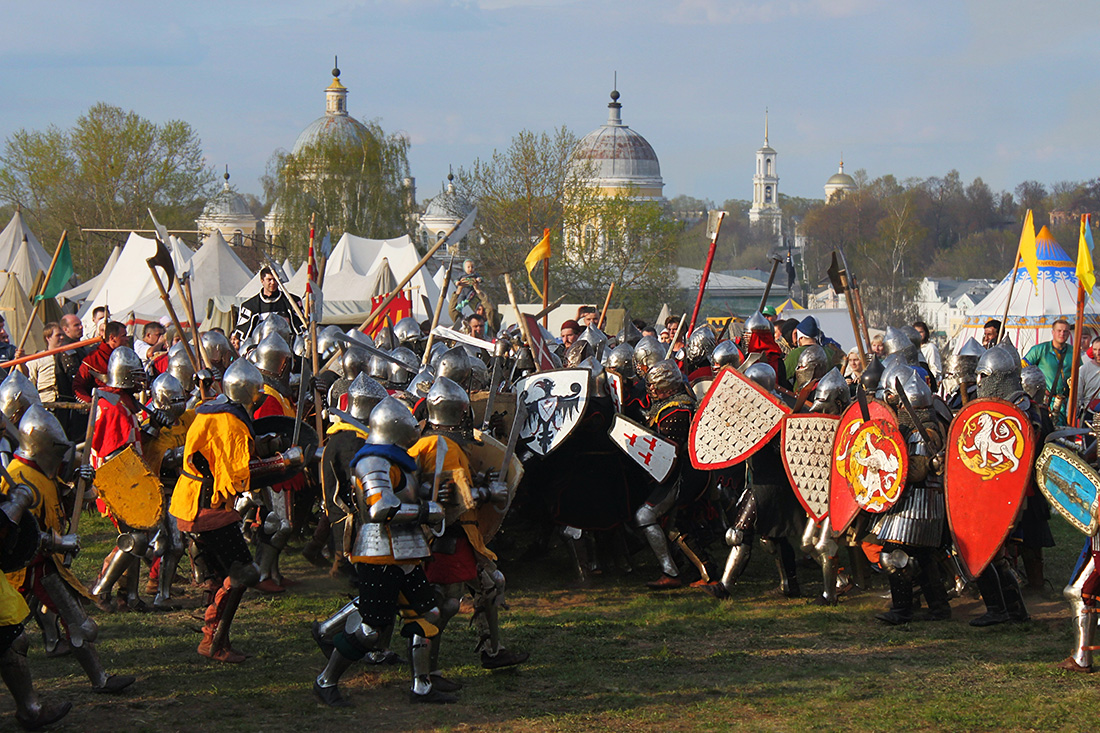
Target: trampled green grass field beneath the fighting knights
{"x":609,"y":658}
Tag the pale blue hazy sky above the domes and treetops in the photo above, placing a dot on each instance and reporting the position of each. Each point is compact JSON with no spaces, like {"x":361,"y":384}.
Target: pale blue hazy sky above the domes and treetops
{"x":1003,"y":90}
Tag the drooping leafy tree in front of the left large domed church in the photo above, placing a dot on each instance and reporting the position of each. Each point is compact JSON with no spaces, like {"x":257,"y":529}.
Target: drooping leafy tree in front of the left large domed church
{"x":354,"y":185}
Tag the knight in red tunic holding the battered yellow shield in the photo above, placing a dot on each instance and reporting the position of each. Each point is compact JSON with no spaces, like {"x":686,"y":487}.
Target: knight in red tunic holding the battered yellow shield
{"x":118,"y":429}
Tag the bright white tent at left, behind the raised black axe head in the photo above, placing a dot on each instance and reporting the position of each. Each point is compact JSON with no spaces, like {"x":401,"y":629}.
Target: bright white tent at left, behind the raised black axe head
{"x":131,"y":283}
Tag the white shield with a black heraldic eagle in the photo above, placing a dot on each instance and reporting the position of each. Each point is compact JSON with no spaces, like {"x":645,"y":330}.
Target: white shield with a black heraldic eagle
{"x":556,"y":403}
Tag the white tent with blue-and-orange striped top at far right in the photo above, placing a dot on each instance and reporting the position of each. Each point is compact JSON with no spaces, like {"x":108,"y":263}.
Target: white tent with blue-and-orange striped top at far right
{"x":1033,"y":310}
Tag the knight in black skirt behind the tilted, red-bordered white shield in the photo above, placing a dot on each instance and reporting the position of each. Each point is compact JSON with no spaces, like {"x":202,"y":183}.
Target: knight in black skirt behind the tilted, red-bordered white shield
{"x":767,"y":508}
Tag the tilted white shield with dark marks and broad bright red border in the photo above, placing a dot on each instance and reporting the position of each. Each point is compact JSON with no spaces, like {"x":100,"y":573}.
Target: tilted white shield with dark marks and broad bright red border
{"x":735,"y":420}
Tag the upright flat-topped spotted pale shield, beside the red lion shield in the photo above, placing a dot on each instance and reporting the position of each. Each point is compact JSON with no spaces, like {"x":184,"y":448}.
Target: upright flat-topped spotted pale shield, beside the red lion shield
{"x":808,"y":458}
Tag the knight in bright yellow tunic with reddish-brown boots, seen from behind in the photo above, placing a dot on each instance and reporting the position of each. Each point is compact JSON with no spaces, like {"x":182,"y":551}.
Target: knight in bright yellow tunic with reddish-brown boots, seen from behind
{"x":217,"y":468}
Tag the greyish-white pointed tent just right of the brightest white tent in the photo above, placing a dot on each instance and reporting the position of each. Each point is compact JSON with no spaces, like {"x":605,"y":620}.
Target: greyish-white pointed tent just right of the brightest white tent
{"x":216,"y":273}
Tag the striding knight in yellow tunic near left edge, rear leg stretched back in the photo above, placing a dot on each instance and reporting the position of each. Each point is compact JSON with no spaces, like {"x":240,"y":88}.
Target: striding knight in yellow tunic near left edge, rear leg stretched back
{"x":43,"y":455}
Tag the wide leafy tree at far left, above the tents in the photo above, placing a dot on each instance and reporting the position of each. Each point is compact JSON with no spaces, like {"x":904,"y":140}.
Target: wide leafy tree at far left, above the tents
{"x":106,"y":172}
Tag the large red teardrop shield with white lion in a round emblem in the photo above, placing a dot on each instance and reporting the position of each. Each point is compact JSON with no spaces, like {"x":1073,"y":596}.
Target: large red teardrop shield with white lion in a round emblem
{"x":991,"y":453}
